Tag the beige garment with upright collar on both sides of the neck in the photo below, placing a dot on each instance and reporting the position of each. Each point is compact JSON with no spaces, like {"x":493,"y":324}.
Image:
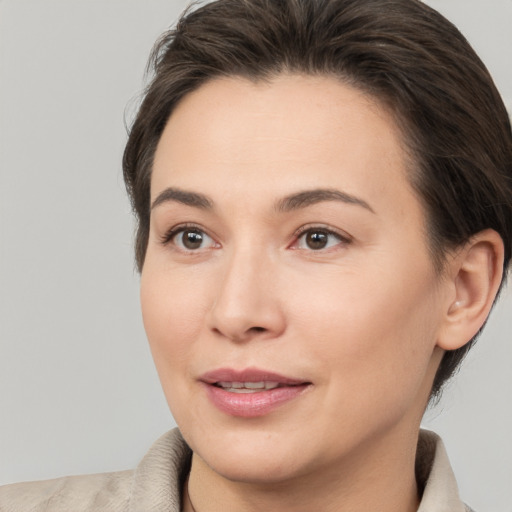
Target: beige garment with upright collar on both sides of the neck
{"x":156,"y":484}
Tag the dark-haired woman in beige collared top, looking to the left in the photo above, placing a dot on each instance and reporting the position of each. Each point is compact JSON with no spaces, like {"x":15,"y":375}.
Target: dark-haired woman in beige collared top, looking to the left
{"x":323,"y":191}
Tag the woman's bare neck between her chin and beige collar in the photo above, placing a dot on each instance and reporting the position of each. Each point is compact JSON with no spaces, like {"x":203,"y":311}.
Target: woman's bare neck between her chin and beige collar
{"x":376,"y":478}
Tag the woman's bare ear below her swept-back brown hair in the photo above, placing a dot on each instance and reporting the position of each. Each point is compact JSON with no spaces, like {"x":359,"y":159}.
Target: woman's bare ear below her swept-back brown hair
{"x":474,"y":277}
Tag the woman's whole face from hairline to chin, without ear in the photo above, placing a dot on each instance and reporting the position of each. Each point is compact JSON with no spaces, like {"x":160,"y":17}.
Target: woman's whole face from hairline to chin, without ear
{"x":288,"y":295}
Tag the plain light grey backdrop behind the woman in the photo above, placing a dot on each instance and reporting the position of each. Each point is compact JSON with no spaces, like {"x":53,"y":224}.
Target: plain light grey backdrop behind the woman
{"x":78,"y":392}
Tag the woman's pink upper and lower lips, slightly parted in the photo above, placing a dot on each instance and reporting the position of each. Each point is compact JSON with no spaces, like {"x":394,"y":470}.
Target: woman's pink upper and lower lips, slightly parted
{"x":251,"y":405}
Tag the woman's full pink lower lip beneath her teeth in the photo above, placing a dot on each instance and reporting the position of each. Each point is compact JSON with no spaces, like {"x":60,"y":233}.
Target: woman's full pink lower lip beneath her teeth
{"x":252,"y":405}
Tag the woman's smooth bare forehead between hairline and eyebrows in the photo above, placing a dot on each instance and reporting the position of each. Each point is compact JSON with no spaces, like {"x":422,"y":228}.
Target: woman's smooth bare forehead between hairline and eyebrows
{"x":273,"y":137}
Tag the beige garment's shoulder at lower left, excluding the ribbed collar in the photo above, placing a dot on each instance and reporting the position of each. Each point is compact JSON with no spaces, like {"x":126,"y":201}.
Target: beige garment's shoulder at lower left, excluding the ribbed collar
{"x":108,"y":492}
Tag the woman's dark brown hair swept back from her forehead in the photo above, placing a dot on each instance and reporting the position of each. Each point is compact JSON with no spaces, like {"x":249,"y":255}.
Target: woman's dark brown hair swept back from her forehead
{"x":401,"y":52}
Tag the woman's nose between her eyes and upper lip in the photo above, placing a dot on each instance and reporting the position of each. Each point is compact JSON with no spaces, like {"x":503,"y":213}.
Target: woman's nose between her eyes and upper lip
{"x":247,"y":303}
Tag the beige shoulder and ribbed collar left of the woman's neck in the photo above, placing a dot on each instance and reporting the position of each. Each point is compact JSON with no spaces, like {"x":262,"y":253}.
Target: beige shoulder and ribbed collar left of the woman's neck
{"x":154,"y":486}
